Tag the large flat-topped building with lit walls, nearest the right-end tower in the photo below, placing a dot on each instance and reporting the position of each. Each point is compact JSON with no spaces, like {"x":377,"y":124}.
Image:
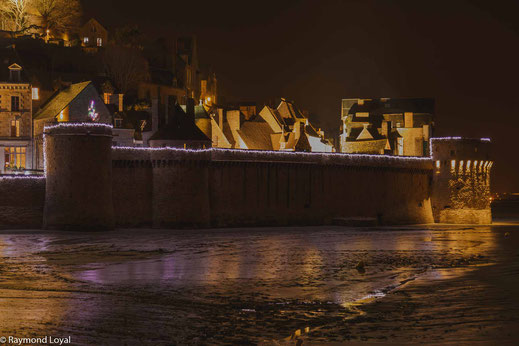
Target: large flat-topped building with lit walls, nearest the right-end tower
{"x":400,"y":127}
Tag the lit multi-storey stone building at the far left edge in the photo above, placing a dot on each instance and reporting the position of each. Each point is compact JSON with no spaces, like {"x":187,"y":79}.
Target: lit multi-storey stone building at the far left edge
{"x":16,"y":96}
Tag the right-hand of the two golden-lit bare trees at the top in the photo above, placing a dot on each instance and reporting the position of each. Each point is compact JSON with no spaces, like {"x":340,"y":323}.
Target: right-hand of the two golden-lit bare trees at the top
{"x":57,"y":15}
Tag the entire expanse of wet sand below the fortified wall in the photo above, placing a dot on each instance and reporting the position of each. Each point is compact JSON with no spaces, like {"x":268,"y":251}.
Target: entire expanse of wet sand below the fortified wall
{"x":433,"y":284}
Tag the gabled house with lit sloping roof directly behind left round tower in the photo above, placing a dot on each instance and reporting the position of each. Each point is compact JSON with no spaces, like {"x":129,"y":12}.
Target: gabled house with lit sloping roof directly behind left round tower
{"x":76,"y":103}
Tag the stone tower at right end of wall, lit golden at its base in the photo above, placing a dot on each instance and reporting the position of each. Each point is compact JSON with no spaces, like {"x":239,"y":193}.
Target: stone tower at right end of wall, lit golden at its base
{"x":461,"y":180}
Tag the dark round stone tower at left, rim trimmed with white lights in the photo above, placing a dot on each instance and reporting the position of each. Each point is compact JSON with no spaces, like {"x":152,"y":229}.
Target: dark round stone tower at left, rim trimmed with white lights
{"x":78,"y":167}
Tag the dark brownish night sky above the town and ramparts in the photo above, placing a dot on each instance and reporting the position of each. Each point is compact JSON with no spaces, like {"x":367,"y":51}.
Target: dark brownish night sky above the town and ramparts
{"x":463,"y":53}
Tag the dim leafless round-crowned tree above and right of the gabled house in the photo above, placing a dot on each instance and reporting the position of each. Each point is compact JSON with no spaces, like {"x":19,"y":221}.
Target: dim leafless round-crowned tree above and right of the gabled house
{"x":126,"y":67}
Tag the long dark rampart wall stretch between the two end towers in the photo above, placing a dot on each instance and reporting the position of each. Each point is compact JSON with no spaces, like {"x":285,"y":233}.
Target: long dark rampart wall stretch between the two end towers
{"x":171,"y":188}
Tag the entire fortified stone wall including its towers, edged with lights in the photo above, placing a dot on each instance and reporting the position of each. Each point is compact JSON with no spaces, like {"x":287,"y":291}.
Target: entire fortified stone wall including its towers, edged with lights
{"x":90,"y":185}
